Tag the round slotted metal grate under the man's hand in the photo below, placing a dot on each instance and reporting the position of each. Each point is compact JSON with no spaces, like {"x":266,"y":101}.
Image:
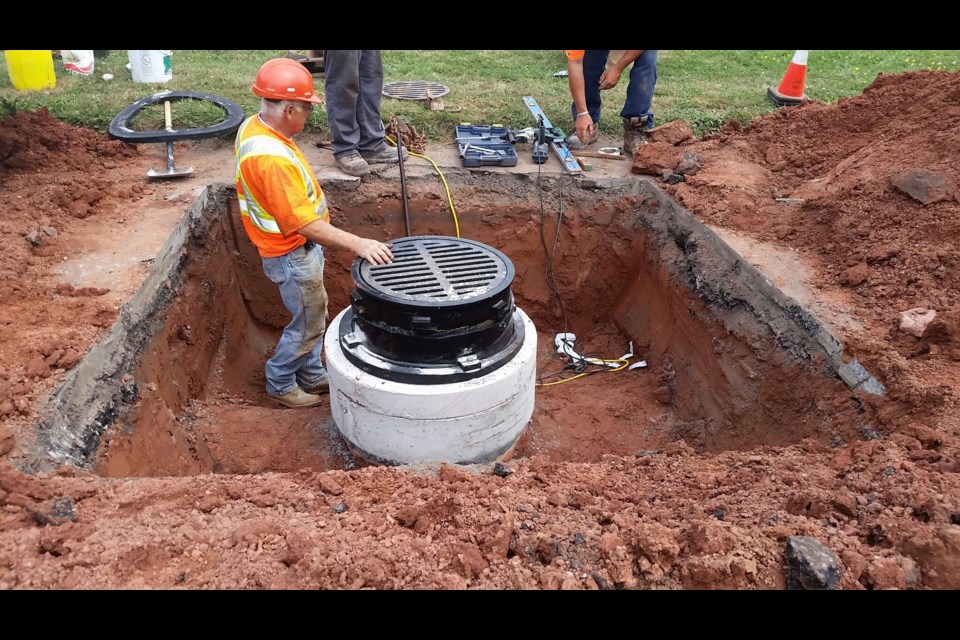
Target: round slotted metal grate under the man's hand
{"x":434,"y":270}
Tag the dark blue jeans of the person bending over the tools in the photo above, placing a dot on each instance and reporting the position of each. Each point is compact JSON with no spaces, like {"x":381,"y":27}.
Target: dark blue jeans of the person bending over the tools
{"x":643,"y":79}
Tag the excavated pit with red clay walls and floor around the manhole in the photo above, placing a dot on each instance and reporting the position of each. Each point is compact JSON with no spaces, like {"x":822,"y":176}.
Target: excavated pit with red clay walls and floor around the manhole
{"x":176,"y":386}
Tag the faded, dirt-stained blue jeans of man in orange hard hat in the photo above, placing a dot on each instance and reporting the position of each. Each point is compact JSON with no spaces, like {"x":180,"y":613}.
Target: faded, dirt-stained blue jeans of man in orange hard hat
{"x":296,"y":359}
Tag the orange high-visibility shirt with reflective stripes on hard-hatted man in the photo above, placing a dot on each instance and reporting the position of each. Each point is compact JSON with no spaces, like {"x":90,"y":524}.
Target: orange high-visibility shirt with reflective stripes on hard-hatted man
{"x":276,"y":189}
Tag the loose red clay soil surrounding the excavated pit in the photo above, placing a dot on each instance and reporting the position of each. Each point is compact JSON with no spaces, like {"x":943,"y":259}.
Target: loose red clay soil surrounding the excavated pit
{"x":862,"y":191}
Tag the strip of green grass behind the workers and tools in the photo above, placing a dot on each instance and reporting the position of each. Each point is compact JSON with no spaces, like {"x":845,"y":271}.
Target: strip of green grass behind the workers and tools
{"x":702,"y":87}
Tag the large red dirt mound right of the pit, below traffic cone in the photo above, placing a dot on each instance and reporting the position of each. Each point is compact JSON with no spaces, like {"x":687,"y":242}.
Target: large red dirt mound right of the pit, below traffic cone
{"x":866,"y":190}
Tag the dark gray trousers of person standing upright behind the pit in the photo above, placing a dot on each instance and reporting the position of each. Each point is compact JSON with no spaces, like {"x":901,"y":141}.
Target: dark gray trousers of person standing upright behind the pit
{"x":353,"y":87}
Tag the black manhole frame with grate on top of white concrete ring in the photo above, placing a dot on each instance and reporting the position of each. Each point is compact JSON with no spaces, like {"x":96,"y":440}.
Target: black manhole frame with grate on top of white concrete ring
{"x":429,"y":340}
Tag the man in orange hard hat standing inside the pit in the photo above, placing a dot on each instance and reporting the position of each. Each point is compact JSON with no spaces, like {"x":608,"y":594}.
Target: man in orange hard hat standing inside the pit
{"x":285,"y":214}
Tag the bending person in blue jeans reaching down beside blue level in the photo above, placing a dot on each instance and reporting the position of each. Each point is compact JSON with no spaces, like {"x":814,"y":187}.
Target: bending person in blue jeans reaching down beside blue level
{"x":591,"y":71}
